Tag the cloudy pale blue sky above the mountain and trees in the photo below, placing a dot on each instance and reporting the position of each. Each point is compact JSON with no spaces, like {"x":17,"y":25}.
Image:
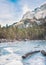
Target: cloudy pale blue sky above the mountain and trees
{"x":11,"y":11}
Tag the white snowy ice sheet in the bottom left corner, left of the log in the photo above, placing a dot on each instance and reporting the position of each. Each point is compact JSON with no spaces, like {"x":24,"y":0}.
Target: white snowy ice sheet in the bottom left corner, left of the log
{"x":11,"y":59}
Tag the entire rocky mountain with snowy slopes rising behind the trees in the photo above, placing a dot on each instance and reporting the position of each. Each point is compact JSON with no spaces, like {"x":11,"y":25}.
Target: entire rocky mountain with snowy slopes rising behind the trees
{"x":33,"y":18}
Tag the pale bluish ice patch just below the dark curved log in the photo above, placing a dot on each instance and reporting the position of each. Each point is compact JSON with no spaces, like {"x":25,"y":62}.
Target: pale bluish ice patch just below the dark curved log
{"x":37,"y":59}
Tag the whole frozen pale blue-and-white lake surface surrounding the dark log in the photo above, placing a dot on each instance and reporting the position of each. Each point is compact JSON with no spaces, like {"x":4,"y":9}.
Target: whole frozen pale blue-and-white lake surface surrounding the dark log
{"x":11,"y":53}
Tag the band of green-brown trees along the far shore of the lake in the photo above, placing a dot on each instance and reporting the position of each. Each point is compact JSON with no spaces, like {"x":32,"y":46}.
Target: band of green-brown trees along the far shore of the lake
{"x":32,"y":33}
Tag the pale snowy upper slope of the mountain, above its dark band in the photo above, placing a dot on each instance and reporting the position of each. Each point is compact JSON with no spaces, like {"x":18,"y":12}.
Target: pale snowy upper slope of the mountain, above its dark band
{"x":38,"y":13}
